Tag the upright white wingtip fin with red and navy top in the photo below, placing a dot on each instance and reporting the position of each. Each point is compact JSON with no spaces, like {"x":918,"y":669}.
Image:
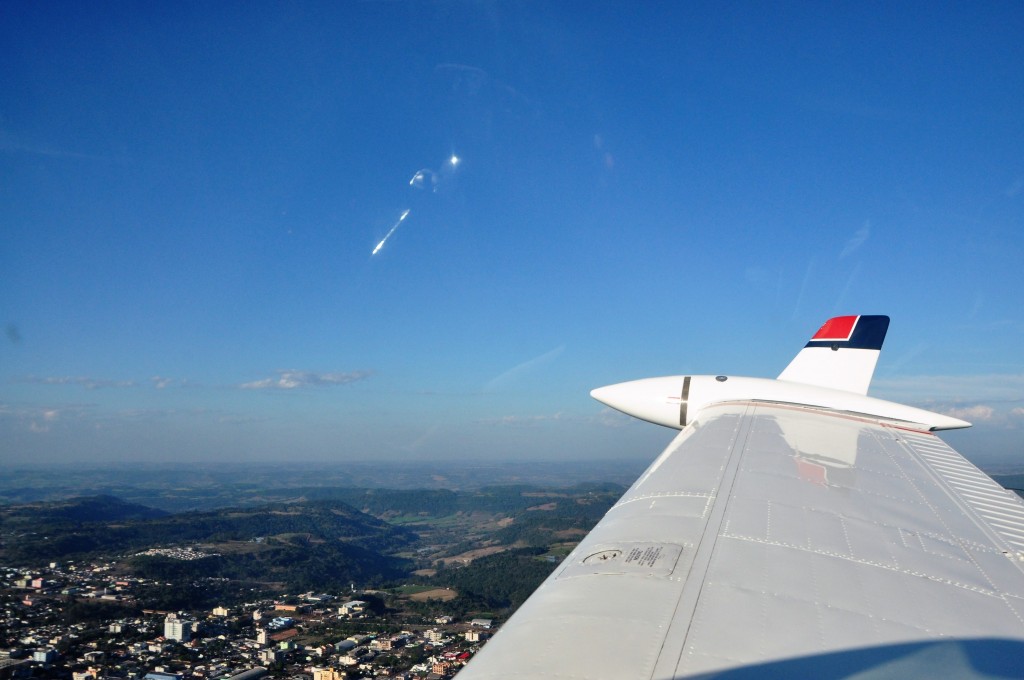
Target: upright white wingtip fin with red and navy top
{"x":841,"y":356}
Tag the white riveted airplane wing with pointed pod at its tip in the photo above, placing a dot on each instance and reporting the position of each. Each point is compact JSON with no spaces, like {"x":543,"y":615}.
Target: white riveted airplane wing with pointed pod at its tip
{"x":789,"y":531}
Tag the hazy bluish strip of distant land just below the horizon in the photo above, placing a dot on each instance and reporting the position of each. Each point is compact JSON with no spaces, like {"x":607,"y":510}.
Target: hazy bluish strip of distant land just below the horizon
{"x":180,"y":489}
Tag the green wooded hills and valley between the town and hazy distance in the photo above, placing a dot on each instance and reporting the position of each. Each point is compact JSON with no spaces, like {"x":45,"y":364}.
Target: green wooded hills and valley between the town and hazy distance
{"x":489,"y":547}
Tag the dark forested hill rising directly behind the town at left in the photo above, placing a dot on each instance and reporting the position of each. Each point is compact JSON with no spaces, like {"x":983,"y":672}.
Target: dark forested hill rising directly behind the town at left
{"x":274,"y":536}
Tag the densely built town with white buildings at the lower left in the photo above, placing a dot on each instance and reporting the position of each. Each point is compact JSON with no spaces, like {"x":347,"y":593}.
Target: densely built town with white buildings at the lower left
{"x":38,"y":642}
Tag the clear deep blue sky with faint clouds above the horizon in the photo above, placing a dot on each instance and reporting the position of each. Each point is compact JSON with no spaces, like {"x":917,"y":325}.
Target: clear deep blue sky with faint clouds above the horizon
{"x":192,"y":194}
